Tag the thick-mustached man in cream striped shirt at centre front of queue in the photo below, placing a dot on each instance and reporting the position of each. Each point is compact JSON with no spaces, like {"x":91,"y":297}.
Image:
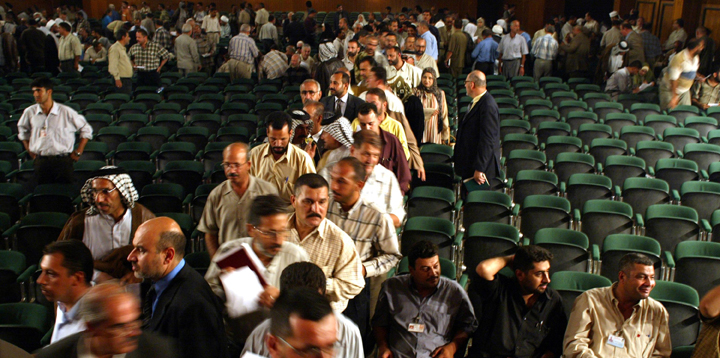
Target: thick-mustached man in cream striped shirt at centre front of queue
{"x":326,"y":244}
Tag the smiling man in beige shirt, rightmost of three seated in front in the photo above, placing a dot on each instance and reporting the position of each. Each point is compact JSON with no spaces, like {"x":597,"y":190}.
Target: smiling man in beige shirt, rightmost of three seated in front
{"x":621,"y":320}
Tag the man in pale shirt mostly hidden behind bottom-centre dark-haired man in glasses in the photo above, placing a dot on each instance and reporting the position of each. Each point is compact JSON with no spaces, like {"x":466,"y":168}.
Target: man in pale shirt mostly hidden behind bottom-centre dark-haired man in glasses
{"x":308,"y":275}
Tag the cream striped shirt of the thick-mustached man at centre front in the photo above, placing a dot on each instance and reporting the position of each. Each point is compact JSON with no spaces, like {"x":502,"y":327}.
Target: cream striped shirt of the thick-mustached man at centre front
{"x":334,"y":251}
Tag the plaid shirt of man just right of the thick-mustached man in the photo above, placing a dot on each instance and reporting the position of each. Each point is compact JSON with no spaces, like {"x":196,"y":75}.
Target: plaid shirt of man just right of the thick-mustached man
{"x":373,"y":232}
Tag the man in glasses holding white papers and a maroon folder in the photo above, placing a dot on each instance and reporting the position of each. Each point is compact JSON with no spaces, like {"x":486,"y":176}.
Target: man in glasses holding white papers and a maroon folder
{"x":267,"y":228}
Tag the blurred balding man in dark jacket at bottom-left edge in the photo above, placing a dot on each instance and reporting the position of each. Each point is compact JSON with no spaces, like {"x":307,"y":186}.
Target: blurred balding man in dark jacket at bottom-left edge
{"x":111,"y":315}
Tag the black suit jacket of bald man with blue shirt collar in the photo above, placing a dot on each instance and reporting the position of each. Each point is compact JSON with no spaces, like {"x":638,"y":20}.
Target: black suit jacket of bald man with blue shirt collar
{"x":190,"y":313}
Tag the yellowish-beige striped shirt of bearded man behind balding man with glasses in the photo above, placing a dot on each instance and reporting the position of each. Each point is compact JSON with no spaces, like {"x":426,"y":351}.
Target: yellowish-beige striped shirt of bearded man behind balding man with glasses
{"x":284,"y":172}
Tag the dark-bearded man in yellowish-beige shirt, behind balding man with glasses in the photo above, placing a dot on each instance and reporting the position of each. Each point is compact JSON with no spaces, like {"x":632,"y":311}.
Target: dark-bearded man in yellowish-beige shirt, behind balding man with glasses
{"x":278,"y":161}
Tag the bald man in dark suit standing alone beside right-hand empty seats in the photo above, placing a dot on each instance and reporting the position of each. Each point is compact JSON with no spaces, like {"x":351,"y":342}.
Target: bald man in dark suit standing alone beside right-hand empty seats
{"x":477,"y":149}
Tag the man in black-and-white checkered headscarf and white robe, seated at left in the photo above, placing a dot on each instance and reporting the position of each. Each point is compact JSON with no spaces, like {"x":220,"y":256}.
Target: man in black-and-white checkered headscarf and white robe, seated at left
{"x":108,"y":225}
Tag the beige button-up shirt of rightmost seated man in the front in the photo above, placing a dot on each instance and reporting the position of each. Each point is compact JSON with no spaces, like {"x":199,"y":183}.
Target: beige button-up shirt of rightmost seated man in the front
{"x":595,"y":316}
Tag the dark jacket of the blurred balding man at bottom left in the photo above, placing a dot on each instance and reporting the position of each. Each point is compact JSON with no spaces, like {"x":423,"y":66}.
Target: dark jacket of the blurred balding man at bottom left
{"x":149,"y":345}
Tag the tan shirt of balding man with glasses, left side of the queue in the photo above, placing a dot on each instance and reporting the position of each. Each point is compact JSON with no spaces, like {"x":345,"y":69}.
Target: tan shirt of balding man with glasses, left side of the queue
{"x":225,"y":213}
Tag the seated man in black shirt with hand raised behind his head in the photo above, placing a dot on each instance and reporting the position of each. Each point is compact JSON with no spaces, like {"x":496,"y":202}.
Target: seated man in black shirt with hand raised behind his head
{"x":514,"y":307}
